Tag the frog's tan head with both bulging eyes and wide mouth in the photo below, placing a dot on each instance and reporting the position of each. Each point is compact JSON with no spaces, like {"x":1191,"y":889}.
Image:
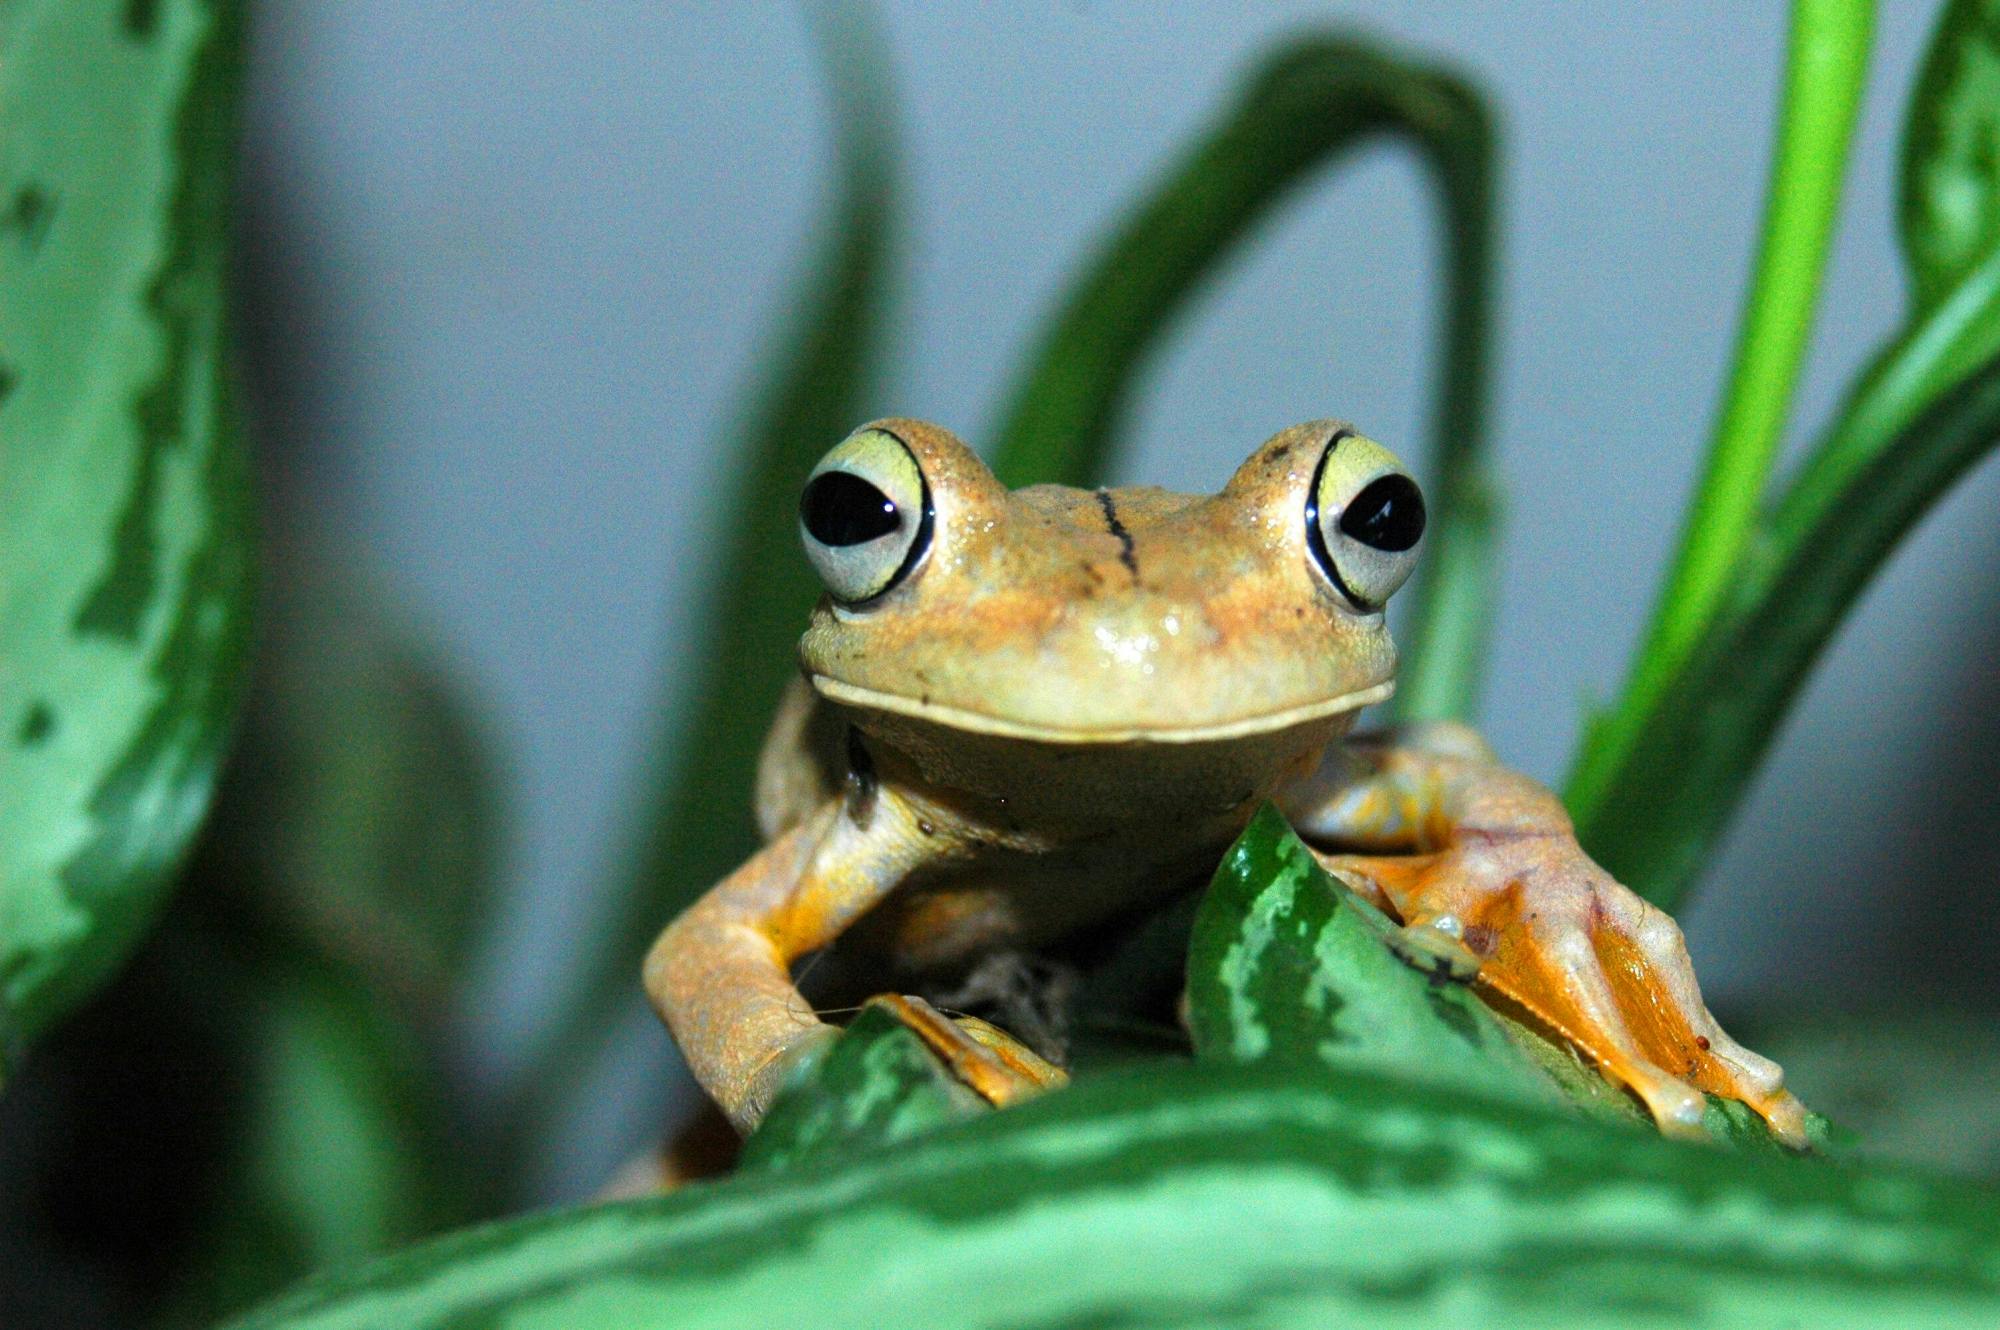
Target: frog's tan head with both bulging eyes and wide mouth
{"x":1089,"y":617}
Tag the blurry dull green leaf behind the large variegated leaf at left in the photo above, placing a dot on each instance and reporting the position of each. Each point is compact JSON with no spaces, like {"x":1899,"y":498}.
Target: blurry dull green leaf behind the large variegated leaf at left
{"x":363,"y":807}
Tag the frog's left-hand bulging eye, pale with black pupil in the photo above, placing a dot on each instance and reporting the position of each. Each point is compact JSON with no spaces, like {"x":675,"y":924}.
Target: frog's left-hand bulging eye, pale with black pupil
{"x":865,"y":517}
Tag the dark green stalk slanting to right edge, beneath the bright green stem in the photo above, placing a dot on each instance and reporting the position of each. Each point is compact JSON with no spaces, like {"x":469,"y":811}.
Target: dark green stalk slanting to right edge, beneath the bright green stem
{"x":1689,"y":765}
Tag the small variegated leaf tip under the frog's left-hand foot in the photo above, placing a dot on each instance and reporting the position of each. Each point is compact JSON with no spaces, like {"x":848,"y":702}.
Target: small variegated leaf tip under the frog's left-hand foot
{"x":873,"y":1087}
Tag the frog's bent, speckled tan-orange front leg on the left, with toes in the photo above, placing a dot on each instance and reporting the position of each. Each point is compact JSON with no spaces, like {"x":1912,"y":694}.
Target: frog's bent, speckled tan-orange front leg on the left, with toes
{"x":721,"y":973}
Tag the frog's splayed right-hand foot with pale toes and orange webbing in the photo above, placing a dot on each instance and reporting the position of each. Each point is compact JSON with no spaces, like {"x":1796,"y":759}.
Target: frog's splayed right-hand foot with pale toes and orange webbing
{"x":1563,"y":943}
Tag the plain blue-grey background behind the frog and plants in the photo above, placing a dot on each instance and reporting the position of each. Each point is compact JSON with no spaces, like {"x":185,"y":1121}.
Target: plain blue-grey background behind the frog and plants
{"x":511,"y":267}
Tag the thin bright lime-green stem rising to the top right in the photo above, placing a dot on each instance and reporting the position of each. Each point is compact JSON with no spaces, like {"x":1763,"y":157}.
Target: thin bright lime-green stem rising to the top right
{"x":1823,"y":89}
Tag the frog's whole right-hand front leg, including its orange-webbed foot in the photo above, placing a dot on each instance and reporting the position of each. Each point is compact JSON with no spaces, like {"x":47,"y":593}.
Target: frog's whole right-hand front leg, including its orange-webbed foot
{"x":1459,"y":847}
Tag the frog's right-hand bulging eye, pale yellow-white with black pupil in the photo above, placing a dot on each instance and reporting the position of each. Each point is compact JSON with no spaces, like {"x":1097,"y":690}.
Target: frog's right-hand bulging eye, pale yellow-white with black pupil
{"x":1365,"y":521}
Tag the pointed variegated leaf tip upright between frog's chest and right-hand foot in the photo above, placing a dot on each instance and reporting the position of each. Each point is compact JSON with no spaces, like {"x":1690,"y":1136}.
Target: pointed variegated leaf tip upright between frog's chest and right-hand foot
{"x":1291,"y":965}
